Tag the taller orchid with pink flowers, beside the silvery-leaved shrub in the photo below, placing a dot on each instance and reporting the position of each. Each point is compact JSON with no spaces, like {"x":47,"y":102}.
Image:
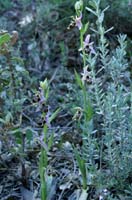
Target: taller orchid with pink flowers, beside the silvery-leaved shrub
{"x":85,"y":119}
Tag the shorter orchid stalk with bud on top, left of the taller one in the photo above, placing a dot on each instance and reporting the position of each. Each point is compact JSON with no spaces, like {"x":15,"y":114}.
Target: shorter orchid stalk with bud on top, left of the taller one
{"x":45,"y":139}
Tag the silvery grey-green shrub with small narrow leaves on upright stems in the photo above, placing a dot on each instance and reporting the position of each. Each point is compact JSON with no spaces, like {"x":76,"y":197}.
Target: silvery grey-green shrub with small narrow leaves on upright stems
{"x":107,"y":135}
